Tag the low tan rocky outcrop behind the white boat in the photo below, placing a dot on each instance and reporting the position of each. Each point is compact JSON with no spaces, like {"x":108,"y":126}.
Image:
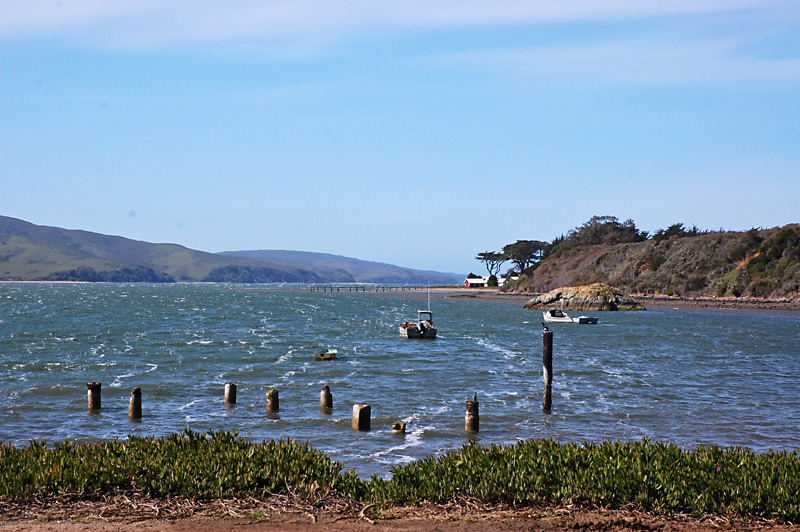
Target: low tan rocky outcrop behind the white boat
{"x":596,"y":296}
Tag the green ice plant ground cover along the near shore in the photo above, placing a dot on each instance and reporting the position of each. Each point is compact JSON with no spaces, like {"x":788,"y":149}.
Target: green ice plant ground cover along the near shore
{"x":655,"y":477}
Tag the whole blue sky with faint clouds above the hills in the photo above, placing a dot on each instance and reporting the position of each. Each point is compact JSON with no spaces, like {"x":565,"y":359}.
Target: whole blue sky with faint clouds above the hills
{"x":417,"y":133}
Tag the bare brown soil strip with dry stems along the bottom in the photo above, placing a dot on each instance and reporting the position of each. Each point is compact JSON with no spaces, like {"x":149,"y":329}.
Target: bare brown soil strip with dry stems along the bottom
{"x":126,"y":512}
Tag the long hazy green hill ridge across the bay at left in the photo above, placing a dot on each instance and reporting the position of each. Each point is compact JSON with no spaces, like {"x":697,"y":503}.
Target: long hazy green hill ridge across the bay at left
{"x":30,"y":252}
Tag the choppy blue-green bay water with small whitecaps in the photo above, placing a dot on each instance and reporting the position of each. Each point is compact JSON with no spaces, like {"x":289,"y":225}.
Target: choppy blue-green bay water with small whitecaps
{"x":688,"y":376}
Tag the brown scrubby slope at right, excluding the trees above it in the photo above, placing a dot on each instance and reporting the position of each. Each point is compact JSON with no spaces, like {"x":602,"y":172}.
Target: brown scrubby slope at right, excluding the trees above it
{"x":761,"y":263}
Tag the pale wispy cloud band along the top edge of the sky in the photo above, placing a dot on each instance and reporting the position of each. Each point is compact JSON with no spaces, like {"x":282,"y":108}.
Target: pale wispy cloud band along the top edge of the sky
{"x":149,"y":23}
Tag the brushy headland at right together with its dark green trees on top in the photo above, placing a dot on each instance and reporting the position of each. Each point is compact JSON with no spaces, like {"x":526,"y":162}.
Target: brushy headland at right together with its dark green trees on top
{"x":678,"y":260}
